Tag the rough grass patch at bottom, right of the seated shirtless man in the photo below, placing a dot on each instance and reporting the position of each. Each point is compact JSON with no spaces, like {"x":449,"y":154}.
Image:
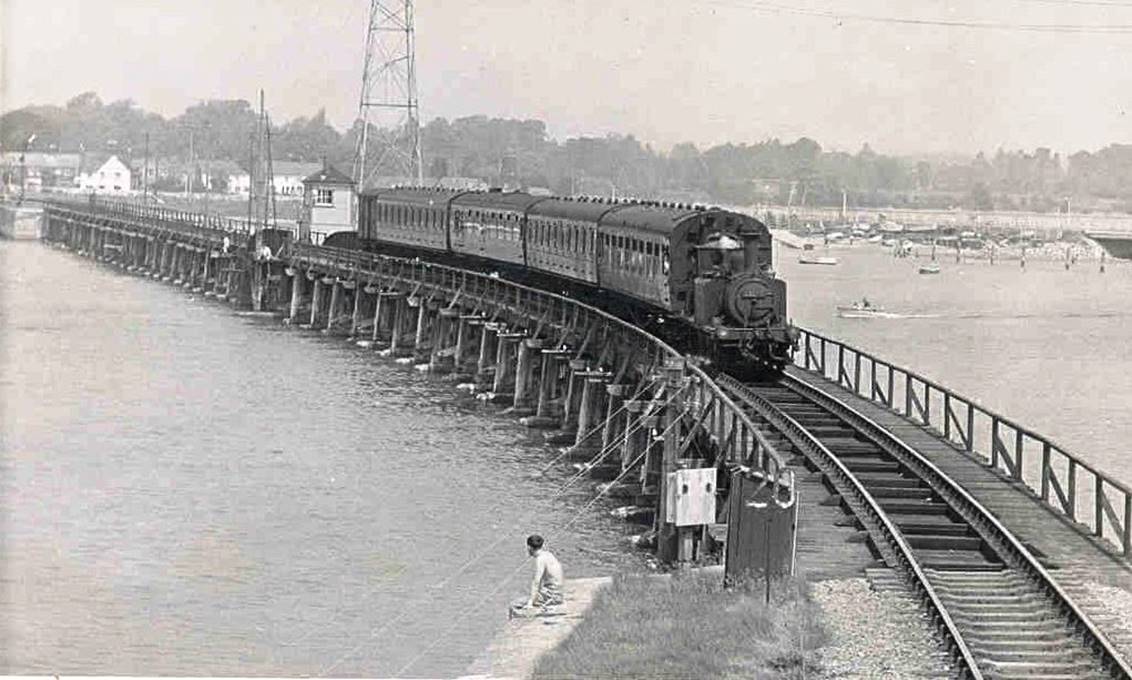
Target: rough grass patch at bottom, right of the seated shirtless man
{"x":689,"y":626}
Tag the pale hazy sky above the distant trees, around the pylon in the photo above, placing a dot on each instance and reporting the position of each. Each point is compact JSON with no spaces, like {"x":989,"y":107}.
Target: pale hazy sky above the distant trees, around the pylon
{"x":668,"y":72}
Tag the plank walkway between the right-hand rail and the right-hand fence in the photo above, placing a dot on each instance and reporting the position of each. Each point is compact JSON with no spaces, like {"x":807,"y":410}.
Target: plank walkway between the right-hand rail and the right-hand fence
{"x":1075,"y":557}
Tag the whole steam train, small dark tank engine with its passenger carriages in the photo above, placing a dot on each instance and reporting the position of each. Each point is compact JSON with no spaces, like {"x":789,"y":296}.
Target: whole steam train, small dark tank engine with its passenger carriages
{"x":702,"y":276}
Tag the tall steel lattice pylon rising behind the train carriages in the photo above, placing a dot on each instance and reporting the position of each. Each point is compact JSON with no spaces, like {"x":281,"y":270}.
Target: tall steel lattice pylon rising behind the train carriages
{"x":389,"y":96}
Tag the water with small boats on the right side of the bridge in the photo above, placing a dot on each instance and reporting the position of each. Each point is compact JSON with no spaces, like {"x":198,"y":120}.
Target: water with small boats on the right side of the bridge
{"x":1047,"y":347}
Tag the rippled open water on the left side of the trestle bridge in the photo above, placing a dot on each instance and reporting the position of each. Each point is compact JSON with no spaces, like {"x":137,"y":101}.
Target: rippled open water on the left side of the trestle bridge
{"x":190,"y":492}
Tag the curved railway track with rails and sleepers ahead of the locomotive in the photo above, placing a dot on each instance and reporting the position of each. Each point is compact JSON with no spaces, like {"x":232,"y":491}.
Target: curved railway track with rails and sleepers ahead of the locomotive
{"x":998,"y":609}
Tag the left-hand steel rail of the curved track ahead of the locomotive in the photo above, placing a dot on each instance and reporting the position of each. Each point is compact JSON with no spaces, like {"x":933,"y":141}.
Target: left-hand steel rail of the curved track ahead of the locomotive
{"x":886,"y":536}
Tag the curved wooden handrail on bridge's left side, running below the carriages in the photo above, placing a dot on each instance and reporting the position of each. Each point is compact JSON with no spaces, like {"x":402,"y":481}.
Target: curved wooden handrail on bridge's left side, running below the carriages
{"x":744,"y":431}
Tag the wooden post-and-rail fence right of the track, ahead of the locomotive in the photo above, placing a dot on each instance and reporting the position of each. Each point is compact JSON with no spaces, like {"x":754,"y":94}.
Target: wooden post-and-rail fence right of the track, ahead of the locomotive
{"x":956,"y":421}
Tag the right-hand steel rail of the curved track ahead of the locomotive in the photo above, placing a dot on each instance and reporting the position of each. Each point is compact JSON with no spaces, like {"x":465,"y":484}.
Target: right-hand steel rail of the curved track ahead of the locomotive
{"x":1005,"y":543}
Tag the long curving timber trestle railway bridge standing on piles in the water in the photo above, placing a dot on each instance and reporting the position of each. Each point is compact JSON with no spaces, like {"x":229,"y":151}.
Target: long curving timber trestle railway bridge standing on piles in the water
{"x":1001,"y":533}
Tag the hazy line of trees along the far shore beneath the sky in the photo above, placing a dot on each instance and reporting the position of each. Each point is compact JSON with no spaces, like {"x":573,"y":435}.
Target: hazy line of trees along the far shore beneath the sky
{"x":521,"y":153}
